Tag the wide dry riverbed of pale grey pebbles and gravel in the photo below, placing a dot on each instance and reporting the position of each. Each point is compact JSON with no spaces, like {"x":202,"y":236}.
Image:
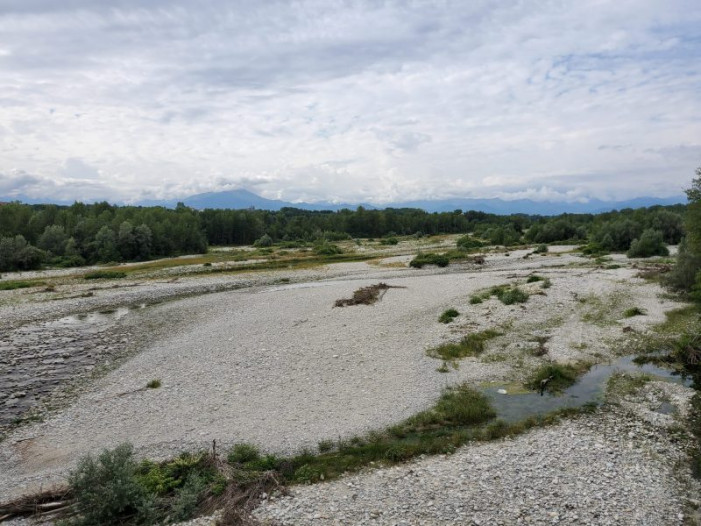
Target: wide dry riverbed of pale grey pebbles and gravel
{"x":265,"y":357}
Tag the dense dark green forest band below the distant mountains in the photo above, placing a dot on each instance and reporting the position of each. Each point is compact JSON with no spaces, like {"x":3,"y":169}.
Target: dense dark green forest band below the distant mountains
{"x":36,"y":235}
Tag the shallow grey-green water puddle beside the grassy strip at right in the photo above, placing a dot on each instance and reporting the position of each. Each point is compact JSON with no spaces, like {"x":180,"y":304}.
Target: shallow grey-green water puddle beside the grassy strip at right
{"x":589,"y":389}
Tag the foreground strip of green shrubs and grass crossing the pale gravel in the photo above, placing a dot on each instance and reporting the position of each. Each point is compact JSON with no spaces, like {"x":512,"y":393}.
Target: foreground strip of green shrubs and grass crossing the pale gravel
{"x":114,"y":488}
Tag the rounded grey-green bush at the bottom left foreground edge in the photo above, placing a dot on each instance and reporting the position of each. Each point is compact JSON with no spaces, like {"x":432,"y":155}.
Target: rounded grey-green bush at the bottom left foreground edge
{"x":107,"y":490}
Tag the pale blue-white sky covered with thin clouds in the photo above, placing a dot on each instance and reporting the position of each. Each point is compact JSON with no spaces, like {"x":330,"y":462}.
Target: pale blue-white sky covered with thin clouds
{"x":349,"y":100}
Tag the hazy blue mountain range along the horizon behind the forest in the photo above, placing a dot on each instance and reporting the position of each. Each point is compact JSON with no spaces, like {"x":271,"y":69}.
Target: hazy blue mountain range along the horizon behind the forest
{"x":243,"y":199}
